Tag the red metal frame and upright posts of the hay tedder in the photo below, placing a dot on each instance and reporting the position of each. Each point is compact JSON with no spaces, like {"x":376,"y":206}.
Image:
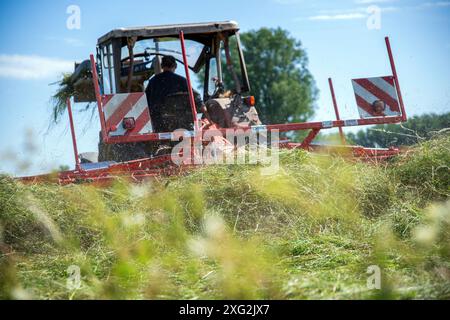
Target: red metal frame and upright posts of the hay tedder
{"x":141,"y":169}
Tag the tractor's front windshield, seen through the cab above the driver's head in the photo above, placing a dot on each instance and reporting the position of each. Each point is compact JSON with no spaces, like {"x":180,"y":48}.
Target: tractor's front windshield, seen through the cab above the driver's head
{"x":166,"y":46}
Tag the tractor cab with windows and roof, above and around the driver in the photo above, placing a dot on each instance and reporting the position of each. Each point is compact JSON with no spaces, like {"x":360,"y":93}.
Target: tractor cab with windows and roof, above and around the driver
{"x":128,"y":57}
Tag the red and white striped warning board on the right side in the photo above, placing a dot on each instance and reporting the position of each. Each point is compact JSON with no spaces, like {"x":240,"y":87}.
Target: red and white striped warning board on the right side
{"x":376,"y":97}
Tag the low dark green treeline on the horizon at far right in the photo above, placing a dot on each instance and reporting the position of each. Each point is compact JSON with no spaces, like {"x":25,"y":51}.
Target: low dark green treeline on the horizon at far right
{"x":417,"y":129}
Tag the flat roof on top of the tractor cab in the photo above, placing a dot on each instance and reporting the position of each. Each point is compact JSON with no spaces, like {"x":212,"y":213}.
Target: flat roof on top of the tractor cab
{"x":189,"y":29}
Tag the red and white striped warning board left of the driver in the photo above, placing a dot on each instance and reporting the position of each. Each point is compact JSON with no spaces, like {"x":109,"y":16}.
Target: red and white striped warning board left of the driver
{"x":117,"y":107}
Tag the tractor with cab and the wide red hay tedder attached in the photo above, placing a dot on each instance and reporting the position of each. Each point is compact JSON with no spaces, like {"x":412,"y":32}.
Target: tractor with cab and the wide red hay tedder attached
{"x":126,"y":58}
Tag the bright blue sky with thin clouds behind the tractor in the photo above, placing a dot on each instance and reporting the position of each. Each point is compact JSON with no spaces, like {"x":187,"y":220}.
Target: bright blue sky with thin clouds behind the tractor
{"x":37,"y":47}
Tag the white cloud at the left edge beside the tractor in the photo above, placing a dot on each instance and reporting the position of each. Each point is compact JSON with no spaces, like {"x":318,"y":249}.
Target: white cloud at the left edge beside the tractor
{"x":32,"y":67}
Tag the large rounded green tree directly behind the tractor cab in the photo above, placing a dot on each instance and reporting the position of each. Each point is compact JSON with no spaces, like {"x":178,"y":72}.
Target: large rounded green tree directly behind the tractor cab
{"x":277,"y":67}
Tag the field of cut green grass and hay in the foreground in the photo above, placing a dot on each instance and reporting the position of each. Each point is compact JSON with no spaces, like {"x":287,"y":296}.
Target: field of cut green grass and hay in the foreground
{"x":228,"y":232}
